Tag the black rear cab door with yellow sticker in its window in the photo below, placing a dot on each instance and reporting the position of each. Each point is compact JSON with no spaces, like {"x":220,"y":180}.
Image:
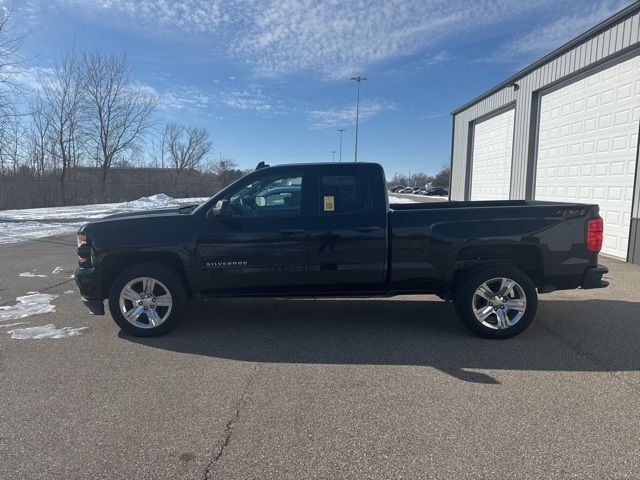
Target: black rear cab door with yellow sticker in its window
{"x":348,"y":232}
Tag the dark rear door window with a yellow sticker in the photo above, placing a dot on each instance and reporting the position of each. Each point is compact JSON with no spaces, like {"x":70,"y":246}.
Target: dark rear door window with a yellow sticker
{"x":340,"y":194}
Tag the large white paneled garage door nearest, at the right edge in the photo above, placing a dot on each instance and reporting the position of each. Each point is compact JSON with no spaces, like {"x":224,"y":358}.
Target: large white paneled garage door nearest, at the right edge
{"x":587,"y":147}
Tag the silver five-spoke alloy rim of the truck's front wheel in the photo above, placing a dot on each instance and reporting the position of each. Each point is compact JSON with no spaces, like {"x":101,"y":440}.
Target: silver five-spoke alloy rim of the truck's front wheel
{"x":145,"y":302}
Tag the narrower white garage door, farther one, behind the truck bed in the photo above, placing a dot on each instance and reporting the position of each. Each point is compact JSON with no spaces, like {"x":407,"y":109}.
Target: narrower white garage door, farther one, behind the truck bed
{"x":491,"y":160}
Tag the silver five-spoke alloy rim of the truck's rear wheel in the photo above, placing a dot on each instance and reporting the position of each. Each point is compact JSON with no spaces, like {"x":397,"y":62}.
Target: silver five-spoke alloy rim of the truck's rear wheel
{"x":499,"y":303}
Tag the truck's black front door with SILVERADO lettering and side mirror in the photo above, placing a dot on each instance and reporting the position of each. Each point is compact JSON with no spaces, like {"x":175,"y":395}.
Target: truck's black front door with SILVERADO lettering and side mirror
{"x":261,"y":248}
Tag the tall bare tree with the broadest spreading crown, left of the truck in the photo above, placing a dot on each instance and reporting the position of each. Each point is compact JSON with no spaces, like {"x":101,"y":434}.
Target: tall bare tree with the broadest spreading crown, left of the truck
{"x":119,"y":112}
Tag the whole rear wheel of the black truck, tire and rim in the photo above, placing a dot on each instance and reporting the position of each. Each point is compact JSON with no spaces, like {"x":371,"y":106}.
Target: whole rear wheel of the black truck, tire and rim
{"x":497,"y":302}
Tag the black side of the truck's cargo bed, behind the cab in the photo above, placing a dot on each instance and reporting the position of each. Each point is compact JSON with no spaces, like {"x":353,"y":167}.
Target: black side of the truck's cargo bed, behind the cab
{"x":429,"y":240}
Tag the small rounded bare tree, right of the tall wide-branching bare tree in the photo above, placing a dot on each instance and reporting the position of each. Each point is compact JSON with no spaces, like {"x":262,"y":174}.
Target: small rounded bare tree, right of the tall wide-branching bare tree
{"x":186,"y":147}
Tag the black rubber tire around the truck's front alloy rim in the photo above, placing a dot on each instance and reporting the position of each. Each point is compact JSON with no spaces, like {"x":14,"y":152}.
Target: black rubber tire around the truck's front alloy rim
{"x":168,"y":278}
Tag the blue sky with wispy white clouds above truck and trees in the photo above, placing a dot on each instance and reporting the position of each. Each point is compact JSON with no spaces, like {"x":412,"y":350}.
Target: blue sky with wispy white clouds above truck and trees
{"x":270,"y":79}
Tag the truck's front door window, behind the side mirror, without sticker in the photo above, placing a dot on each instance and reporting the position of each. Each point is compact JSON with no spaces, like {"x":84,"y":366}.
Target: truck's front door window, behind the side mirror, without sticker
{"x":276,"y":195}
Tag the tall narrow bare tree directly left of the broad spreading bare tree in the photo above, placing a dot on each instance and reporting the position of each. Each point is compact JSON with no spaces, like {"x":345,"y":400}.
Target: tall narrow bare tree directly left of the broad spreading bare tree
{"x":62,"y":99}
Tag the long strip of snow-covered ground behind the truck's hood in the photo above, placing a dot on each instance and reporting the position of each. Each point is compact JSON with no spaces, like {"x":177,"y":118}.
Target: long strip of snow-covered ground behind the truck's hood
{"x":28,"y":224}
